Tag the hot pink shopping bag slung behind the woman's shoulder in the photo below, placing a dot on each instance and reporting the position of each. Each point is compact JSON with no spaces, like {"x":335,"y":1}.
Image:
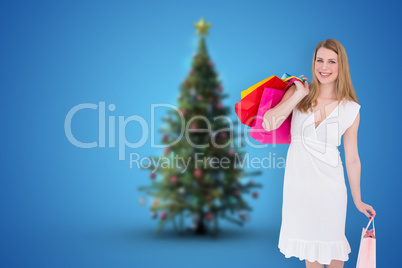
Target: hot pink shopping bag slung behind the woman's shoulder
{"x":270,"y":98}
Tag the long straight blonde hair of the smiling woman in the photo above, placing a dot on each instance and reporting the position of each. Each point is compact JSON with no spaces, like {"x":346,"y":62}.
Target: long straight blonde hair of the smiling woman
{"x":343,"y":88}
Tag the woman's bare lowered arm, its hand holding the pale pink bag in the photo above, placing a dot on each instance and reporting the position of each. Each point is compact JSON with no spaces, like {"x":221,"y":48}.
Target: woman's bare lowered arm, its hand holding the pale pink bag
{"x":353,"y":166}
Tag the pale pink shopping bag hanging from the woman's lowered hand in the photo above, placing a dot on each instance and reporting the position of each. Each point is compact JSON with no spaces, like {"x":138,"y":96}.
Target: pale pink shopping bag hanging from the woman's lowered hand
{"x":367,"y":250}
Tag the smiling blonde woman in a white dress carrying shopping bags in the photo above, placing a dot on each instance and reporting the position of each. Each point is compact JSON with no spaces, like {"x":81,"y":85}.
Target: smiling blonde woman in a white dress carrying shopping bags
{"x":314,"y":191}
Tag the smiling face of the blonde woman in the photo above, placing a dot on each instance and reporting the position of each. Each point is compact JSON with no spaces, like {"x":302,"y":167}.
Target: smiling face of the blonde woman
{"x":326,"y":66}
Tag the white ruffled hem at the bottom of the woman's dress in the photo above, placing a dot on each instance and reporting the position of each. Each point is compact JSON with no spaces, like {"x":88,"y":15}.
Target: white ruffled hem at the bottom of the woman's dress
{"x":323,"y":252}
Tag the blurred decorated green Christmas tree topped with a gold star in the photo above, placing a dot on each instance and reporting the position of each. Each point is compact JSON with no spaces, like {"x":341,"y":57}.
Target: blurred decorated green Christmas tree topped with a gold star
{"x":201,"y":179}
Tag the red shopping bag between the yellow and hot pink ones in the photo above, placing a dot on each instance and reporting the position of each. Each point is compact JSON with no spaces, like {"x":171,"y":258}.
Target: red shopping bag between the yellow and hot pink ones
{"x":246,"y":109}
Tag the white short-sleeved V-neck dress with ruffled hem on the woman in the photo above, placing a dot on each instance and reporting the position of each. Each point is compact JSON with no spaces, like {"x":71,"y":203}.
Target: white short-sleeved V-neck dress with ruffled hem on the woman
{"x":314,"y":191}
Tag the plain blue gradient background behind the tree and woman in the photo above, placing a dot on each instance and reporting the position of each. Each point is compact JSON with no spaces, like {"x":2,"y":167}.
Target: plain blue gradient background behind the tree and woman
{"x":62,"y":206}
